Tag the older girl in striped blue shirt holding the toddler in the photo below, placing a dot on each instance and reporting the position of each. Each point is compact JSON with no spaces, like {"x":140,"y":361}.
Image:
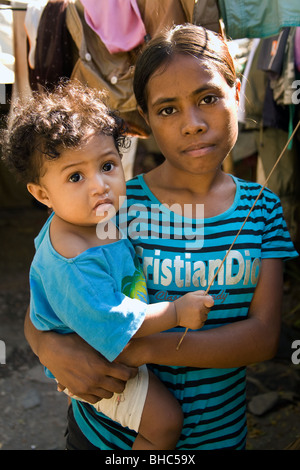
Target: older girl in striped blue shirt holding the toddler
{"x":187,"y":91}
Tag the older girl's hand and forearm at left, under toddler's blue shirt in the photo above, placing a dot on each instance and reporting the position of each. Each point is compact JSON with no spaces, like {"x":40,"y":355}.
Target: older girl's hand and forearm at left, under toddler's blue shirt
{"x":76,"y":365}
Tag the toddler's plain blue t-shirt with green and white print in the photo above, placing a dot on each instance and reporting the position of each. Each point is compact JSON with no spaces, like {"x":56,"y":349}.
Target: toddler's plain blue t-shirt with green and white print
{"x":100,"y":294}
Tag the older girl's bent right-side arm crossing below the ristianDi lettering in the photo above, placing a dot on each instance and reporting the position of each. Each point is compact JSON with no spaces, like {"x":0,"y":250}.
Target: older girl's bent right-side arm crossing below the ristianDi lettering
{"x":238,"y":344}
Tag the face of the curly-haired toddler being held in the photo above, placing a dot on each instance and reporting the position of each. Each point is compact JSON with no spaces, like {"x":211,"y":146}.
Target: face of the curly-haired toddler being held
{"x":85,"y":186}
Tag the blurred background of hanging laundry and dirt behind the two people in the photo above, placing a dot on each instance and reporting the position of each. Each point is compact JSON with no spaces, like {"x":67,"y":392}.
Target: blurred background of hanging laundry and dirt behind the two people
{"x":43,"y":41}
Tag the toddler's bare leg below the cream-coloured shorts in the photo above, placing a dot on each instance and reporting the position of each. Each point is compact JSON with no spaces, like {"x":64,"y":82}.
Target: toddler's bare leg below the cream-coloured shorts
{"x":161,"y":421}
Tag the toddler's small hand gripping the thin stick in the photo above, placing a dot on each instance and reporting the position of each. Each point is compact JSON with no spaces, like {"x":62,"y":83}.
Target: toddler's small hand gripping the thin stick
{"x":192,"y":309}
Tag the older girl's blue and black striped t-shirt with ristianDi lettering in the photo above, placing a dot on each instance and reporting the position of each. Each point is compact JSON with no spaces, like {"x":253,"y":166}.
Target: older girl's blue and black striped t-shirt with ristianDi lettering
{"x":180,"y":254}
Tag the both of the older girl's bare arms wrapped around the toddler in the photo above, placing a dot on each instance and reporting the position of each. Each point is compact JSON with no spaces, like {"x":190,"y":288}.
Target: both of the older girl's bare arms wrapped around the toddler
{"x":252,"y":340}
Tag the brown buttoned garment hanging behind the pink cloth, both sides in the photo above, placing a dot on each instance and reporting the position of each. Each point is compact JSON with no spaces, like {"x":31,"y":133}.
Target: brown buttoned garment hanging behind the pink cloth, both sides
{"x":95,"y":66}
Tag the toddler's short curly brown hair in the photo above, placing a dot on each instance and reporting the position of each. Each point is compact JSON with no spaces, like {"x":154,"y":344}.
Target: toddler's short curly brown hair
{"x":51,"y":121}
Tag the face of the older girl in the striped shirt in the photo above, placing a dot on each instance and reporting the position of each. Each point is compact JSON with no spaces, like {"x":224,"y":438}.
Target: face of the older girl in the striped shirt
{"x":192,"y":112}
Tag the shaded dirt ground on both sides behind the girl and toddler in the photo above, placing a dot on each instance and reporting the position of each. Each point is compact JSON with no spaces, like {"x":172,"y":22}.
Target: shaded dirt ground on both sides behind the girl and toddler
{"x":33,"y":414}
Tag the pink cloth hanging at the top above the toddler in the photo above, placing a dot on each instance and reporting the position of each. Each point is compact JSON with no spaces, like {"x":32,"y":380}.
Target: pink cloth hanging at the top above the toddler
{"x":118,"y":23}
